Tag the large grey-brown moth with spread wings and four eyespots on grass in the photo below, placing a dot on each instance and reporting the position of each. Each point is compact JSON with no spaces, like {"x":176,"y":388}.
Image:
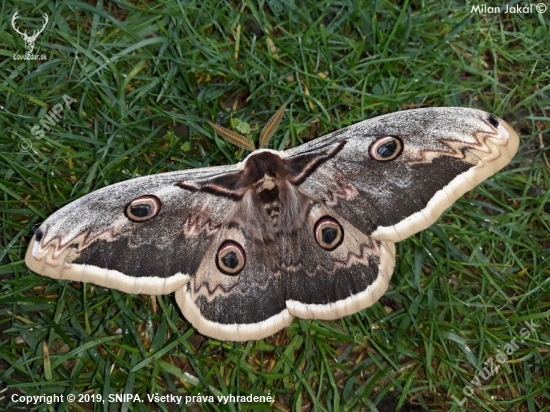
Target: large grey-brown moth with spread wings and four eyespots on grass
{"x":307,"y":232}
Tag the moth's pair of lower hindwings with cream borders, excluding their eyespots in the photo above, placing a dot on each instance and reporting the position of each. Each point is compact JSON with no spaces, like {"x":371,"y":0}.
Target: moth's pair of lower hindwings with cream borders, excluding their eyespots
{"x":282,"y":279}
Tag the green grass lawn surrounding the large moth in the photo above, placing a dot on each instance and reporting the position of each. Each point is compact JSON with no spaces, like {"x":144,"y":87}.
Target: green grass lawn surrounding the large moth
{"x":147,"y":76}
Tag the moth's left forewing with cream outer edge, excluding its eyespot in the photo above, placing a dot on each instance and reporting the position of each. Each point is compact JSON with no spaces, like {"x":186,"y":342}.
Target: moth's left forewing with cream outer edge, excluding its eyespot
{"x":94,"y":240}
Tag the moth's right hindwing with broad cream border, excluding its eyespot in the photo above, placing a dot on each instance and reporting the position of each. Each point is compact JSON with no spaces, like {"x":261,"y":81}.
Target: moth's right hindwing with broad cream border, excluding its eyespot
{"x":330,"y":284}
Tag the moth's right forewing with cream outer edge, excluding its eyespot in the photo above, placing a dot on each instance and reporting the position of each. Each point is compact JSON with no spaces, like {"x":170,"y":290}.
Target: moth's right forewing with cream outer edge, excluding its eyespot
{"x":447,"y":151}
